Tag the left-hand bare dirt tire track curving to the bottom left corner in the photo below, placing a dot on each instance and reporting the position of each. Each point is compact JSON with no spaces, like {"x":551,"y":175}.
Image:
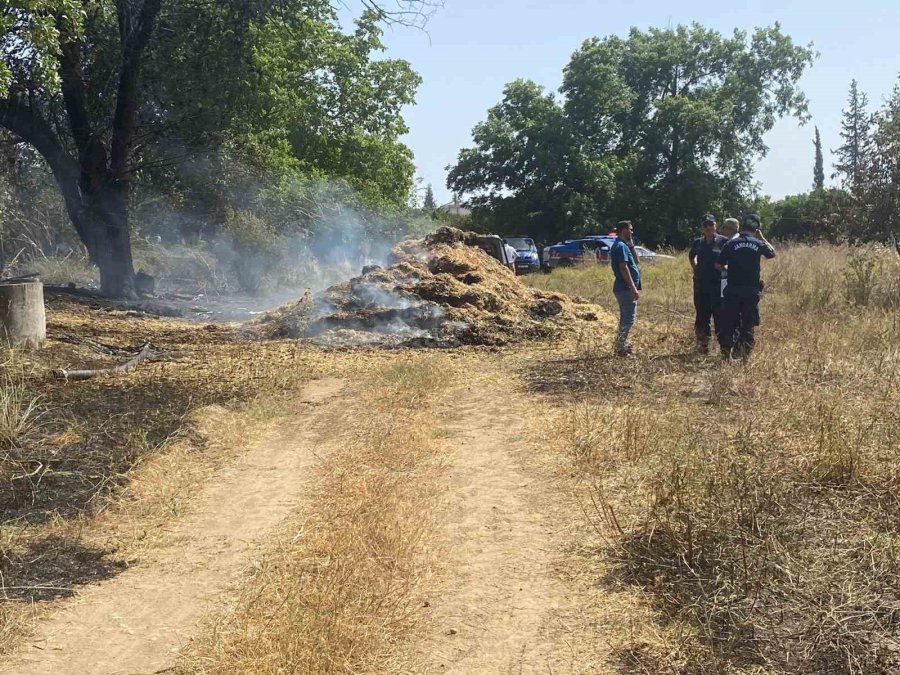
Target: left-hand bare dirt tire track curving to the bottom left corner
{"x":138,"y":621}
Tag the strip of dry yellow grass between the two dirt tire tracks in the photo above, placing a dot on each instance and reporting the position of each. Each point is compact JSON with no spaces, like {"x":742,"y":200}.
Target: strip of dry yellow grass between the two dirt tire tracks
{"x":341,"y":588}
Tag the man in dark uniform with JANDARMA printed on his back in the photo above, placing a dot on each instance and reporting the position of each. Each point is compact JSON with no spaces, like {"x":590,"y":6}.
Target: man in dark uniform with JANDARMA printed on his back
{"x":740,"y":305}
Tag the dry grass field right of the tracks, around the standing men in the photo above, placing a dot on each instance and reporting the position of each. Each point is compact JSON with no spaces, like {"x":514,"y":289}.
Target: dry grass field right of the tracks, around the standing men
{"x":754,"y":507}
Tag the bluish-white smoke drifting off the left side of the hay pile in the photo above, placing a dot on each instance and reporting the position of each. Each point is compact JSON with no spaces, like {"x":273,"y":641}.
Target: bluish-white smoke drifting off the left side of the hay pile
{"x":259,"y":244}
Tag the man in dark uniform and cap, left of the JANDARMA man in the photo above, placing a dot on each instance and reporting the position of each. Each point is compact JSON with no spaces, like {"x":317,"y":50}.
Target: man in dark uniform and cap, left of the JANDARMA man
{"x":707,"y":280}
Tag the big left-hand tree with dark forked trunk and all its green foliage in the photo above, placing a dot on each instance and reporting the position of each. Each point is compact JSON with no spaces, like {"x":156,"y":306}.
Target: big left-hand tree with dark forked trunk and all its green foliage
{"x":199,"y":105}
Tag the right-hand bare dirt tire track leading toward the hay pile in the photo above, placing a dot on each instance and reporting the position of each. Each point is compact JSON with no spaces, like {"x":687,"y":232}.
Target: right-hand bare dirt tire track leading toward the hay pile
{"x":504,"y":607}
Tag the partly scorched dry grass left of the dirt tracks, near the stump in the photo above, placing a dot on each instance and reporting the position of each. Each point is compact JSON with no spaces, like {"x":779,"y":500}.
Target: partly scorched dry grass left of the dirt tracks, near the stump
{"x":92,"y":469}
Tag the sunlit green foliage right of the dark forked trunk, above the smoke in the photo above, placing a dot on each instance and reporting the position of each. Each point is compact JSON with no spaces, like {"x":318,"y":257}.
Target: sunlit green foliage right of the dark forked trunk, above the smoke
{"x":307,"y":128}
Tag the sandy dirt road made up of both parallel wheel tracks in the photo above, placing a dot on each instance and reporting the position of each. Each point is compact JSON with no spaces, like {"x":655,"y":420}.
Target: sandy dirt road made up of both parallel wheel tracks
{"x":501,"y":604}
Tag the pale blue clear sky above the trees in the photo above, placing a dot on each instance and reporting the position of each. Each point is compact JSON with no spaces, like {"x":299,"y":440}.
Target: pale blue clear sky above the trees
{"x":471,"y":49}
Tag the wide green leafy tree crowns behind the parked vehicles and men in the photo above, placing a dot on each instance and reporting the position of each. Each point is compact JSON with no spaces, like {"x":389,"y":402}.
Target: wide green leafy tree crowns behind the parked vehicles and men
{"x":659,"y":127}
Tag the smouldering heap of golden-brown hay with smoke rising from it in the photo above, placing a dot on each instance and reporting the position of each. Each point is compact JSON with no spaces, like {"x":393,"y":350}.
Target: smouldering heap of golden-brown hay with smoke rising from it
{"x":440,"y":291}
